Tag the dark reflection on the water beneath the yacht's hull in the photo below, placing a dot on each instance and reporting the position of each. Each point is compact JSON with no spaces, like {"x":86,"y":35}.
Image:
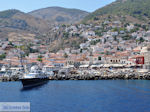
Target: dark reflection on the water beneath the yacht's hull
{"x":36,"y":87}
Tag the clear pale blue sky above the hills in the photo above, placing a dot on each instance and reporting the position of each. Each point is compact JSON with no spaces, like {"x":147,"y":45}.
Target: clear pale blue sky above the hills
{"x":30,"y":5}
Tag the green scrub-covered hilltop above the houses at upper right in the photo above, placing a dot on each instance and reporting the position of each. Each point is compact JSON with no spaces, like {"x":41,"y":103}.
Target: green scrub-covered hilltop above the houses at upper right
{"x":139,"y":9}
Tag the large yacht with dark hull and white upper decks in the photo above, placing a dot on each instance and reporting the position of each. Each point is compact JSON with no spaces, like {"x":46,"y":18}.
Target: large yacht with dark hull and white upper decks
{"x":35,"y":77}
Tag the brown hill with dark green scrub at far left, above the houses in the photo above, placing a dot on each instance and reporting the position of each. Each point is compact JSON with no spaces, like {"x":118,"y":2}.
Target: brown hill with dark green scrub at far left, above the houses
{"x":20,"y":25}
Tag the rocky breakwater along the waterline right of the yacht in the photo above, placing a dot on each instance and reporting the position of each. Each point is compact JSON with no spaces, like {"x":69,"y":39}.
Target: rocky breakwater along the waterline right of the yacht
{"x":104,"y":75}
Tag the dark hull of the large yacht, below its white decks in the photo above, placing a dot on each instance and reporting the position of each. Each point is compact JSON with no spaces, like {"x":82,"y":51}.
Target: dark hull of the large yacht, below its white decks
{"x":33,"y":82}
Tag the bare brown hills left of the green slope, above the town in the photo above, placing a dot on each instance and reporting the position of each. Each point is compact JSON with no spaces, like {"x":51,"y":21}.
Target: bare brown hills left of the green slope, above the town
{"x":36,"y":22}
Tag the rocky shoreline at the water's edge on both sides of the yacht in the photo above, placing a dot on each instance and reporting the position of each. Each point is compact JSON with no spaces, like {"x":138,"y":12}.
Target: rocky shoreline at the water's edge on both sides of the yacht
{"x":102,"y":74}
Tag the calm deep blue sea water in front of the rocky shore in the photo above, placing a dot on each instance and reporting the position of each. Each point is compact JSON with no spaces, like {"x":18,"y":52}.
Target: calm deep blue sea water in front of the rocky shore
{"x":81,"y":96}
